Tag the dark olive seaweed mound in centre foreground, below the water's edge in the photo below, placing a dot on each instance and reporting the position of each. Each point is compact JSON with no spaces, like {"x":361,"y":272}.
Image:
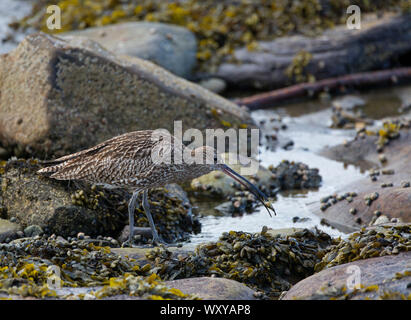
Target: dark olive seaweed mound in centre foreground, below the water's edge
{"x":267,"y":263}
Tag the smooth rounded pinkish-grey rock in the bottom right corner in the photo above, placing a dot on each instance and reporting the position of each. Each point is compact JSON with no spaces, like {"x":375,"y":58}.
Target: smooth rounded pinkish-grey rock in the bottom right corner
{"x":378,"y":278}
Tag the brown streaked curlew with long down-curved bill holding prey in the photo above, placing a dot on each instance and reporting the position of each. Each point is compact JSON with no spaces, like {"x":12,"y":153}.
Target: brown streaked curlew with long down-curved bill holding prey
{"x":135,"y":161}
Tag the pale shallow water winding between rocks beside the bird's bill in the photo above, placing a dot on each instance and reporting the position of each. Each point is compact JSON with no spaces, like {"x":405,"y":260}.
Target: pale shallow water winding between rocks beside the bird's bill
{"x":308,"y":126}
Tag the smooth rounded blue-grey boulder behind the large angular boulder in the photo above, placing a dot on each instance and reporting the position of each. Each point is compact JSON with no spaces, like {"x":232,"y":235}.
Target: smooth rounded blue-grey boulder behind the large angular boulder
{"x":172,"y":47}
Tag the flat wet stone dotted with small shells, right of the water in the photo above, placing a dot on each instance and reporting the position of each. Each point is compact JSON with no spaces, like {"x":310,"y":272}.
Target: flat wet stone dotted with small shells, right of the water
{"x":385,"y":181}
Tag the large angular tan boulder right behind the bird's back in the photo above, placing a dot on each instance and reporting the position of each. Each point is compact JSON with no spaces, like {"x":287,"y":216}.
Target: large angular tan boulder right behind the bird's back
{"x":59,"y":96}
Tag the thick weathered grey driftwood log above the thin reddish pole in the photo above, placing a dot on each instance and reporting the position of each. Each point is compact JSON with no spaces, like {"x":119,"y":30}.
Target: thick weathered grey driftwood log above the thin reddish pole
{"x":381,"y":43}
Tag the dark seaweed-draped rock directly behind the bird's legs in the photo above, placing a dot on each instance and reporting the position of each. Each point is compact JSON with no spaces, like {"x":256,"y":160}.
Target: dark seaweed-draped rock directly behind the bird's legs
{"x":67,"y":208}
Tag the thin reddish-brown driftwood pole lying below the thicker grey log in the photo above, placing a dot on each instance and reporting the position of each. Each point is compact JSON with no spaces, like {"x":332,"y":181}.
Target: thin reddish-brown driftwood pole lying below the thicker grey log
{"x":357,"y":80}
